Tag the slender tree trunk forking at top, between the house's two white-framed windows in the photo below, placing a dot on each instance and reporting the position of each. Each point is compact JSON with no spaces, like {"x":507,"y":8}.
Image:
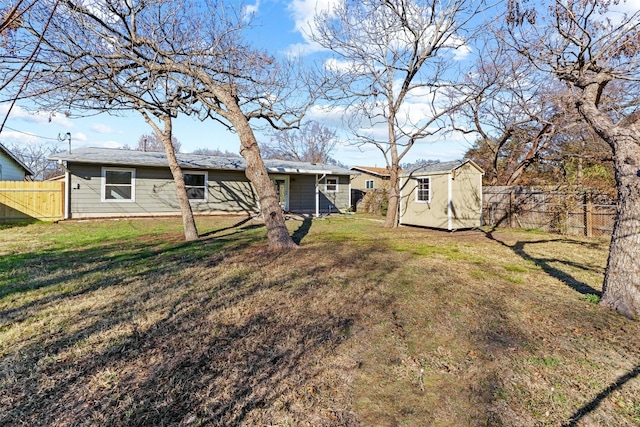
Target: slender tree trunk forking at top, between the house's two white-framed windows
{"x":188,"y":222}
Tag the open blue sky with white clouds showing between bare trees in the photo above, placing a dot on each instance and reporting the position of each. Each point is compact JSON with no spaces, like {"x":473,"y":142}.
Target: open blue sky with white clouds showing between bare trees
{"x":278,"y":25}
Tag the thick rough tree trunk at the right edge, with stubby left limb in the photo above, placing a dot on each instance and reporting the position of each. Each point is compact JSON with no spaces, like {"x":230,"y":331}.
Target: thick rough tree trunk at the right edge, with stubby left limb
{"x":621,"y":287}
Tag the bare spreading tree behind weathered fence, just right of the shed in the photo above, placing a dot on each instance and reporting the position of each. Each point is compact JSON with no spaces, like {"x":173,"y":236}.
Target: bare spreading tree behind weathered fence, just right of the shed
{"x":513,"y":110}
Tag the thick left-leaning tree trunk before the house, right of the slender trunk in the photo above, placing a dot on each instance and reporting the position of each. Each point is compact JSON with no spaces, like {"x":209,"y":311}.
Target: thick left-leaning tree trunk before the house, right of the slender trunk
{"x":277,"y":233}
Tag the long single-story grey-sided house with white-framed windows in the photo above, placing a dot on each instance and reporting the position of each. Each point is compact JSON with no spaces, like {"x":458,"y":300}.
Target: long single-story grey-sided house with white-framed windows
{"x":104,"y":182}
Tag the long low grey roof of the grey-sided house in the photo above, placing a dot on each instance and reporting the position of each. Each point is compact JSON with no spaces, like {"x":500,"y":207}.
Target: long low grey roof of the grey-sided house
{"x":119,"y":157}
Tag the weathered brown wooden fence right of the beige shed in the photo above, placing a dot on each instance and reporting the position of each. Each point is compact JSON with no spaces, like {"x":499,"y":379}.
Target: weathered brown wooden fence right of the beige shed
{"x":565,"y":212}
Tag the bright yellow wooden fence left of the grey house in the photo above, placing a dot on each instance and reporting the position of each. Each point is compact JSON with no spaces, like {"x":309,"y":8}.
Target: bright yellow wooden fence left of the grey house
{"x":23,"y":201}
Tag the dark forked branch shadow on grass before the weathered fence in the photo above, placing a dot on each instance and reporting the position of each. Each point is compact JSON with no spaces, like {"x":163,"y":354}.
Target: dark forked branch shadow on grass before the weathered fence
{"x":519,"y":248}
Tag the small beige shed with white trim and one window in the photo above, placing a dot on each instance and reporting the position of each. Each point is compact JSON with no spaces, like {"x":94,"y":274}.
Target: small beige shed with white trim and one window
{"x":445,"y":195}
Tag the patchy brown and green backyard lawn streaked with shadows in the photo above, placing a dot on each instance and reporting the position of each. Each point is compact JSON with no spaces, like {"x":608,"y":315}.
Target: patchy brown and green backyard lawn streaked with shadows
{"x":122,"y":323}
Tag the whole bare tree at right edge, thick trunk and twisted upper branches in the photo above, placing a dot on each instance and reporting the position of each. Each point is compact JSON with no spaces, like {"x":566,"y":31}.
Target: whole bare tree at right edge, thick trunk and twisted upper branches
{"x":592,"y":49}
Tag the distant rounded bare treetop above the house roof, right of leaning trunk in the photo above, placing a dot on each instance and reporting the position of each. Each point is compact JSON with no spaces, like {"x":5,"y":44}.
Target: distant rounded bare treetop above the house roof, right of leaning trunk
{"x":311,"y":142}
